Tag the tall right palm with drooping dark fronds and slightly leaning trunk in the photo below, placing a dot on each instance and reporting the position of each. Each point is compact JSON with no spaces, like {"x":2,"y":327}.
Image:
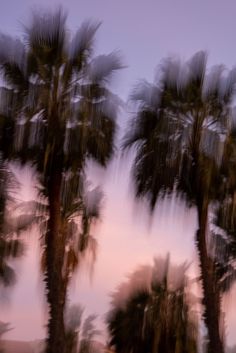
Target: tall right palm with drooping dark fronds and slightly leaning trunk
{"x":178,"y":131}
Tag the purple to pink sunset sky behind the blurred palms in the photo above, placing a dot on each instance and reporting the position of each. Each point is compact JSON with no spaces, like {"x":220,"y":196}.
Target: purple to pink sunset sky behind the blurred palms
{"x":145,"y":32}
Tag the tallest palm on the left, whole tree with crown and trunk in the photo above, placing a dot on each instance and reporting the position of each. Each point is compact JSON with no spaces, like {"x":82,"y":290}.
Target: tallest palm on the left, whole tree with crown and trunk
{"x":57,"y":103}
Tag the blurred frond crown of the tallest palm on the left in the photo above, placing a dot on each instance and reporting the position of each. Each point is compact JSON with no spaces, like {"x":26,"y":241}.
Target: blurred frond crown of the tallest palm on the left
{"x":57,"y":93}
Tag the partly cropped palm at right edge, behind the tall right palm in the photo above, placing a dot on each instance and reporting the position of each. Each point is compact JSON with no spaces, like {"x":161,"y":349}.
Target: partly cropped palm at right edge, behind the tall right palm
{"x":224,"y":234}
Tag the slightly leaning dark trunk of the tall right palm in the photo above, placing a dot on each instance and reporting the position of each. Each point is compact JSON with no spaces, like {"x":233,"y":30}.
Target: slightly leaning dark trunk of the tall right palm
{"x":211,"y":297}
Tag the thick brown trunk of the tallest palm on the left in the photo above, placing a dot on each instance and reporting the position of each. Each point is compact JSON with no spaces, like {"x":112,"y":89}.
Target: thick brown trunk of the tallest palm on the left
{"x":55,"y":284}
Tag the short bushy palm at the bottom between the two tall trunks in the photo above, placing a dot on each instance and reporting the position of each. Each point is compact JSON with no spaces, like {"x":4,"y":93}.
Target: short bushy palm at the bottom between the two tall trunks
{"x":151,"y":312}
